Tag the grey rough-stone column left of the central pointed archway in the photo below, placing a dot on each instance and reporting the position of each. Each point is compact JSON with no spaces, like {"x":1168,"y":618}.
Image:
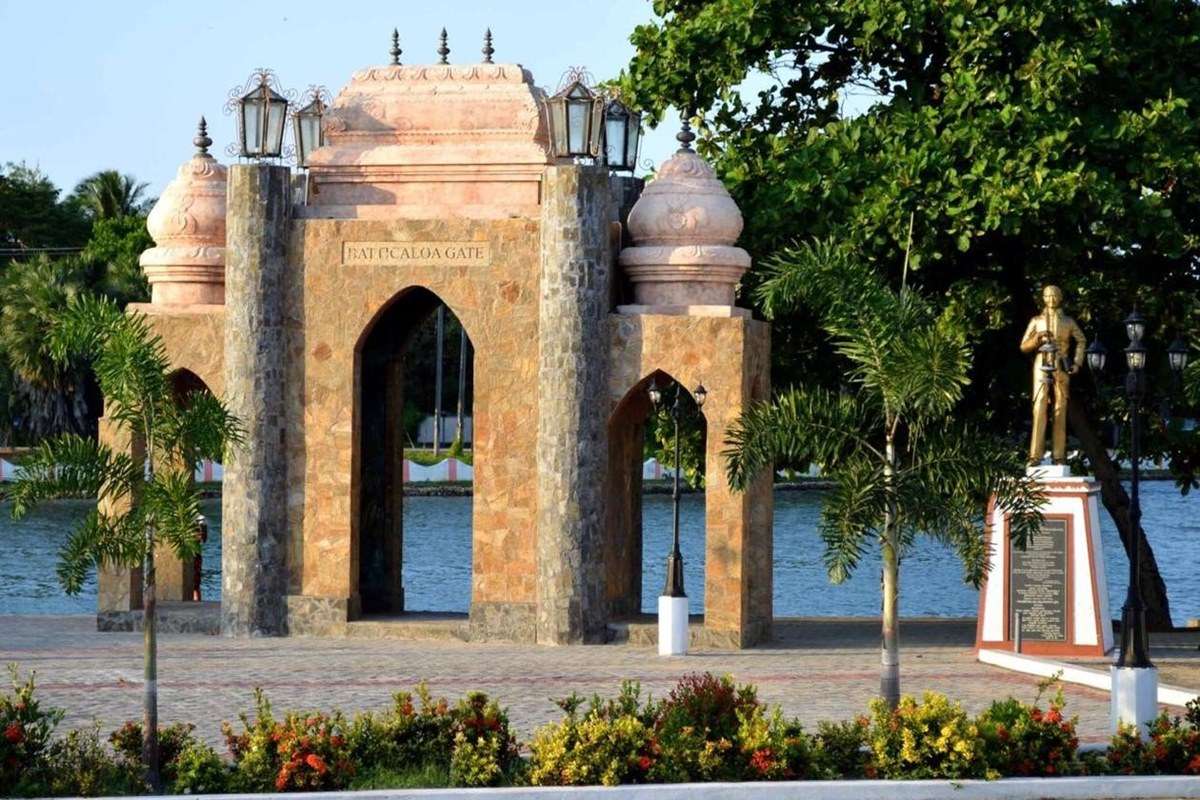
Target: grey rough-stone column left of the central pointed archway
{"x":254,"y":560}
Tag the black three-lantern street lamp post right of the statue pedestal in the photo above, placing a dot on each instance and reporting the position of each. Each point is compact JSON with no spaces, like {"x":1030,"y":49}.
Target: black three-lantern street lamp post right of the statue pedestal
{"x":1135,"y":641}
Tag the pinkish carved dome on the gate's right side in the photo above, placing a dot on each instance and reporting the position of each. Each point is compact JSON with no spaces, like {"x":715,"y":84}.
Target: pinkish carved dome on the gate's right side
{"x":685,"y":227}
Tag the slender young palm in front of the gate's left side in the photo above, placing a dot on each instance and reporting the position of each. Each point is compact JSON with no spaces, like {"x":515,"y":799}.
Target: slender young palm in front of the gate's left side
{"x":143,"y":503}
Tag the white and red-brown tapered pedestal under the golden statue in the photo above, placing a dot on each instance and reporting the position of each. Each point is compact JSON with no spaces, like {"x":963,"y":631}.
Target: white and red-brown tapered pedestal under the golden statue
{"x":1051,"y":599}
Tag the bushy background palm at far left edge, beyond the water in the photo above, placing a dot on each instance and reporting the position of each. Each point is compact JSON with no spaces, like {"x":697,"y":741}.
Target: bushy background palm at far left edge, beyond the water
{"x":49,"y":396}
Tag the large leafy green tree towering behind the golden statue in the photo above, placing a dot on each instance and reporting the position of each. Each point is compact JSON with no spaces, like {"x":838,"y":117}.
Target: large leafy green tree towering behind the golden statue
{"x":1030,"y":141}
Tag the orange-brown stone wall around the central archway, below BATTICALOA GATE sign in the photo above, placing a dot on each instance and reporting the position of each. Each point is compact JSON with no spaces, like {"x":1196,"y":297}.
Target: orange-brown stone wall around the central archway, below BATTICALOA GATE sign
{"x":332,"y":309}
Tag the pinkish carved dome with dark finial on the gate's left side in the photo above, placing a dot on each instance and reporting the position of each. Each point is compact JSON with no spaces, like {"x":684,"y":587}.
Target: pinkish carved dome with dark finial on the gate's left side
{"x":187,"y":267}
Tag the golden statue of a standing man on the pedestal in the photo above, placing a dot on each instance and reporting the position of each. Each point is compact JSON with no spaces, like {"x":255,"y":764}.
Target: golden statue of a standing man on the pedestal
{"x":1051,"y":335}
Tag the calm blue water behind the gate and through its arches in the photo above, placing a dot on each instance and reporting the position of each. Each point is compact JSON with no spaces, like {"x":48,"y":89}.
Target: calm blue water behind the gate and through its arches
{"x":437,"y":560}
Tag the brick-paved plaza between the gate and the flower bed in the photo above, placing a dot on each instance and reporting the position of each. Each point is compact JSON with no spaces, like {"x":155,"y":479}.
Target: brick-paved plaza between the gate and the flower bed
{"x":815,"y":670}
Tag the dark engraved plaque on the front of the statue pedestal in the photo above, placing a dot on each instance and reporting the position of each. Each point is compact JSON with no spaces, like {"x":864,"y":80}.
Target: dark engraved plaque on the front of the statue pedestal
{"x":1039,"y":585}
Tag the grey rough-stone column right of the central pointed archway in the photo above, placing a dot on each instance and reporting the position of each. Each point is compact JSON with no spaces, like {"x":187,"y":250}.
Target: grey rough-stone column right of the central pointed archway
{"x":575,"y":285}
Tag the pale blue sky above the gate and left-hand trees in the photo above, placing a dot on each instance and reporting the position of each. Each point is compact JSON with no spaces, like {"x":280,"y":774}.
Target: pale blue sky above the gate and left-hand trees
{"x":95,"y":85}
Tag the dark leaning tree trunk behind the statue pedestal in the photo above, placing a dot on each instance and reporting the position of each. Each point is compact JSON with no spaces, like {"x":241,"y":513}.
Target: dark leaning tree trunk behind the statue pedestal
{"x":1117,"y":502}
